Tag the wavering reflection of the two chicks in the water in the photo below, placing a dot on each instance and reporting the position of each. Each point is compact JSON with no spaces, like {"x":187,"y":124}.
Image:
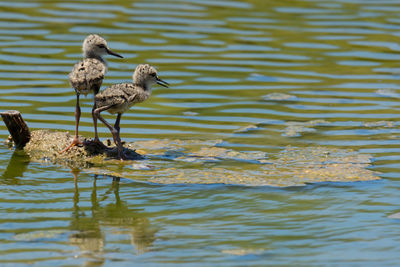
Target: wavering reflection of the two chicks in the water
{"x":90,"y":229}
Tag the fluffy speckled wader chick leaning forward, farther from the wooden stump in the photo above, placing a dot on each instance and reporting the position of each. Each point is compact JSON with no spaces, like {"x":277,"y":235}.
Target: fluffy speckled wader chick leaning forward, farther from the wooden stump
{"x":118,"y":98}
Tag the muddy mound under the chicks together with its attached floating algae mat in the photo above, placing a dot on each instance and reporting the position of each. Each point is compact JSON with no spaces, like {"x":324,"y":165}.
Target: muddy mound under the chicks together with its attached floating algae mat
{"x":204,"y":162}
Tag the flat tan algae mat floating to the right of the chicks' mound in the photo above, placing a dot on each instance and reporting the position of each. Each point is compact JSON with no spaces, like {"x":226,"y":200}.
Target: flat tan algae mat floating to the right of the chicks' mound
{"x":210,"y":164}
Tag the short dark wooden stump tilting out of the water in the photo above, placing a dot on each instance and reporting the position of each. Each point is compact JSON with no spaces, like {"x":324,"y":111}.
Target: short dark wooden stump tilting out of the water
{"x":17,"y":127}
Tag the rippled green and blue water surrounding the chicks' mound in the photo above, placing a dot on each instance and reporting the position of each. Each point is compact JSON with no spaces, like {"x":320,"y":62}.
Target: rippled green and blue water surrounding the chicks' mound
{"x":253,"y":74}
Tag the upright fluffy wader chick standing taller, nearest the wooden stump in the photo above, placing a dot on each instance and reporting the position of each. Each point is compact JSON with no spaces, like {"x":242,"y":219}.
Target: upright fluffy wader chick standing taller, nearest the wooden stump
{"x":87,"y":75}
